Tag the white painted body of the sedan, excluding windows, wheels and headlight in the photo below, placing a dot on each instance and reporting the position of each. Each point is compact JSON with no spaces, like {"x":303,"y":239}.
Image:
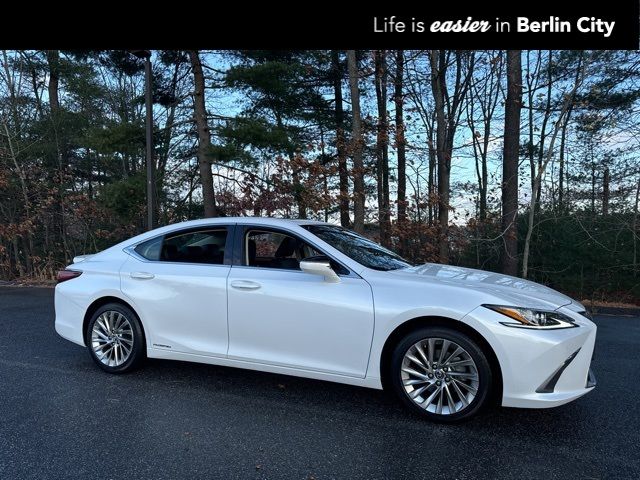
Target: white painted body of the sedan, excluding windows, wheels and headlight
{"x":297,"y":323}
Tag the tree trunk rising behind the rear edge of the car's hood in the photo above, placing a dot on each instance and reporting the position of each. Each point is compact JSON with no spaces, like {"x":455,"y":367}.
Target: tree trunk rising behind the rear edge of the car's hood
{"x":438,"y":86}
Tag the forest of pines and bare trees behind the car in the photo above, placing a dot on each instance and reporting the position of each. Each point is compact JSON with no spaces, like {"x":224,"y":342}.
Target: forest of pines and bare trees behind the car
{"x":525,"y":162}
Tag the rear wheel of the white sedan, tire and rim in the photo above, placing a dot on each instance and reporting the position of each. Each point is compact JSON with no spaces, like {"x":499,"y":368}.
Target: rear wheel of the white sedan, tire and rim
{"x":115,"y":338}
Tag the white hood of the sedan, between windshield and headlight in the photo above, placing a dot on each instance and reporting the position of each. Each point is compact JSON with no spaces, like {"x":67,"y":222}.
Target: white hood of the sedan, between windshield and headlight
{"x":511,"y":290}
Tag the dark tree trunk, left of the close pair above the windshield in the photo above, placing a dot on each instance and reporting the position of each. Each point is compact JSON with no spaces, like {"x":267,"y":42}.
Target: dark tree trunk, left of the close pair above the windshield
{"x":382,"y":147}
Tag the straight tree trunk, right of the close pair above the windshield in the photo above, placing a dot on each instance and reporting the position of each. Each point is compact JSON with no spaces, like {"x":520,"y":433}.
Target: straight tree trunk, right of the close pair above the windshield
{"x":401,"y":149}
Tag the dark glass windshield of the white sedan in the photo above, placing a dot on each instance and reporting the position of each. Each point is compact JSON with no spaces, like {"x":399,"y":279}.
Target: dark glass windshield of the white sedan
{"x":358,"y":248}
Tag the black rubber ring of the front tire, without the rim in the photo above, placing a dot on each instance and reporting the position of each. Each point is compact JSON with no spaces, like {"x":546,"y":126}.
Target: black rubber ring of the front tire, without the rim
{"x":482,"y":364}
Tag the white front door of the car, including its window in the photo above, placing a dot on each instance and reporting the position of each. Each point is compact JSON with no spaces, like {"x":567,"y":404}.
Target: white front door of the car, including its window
{"x":280,"y":315}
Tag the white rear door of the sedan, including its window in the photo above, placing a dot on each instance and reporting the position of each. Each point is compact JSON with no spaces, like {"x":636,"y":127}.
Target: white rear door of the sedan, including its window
{"x":178,"y":283}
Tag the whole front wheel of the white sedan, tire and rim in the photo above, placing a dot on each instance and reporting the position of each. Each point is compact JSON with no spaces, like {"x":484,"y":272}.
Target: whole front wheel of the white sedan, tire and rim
{"x":455,"y":390}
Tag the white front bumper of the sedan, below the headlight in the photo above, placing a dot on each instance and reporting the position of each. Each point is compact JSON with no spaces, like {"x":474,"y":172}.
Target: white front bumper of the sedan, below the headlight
{"x":540,"y":368}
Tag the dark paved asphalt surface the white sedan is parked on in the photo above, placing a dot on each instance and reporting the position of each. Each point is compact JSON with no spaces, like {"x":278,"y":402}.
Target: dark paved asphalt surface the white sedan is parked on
{"x":60,"y":416}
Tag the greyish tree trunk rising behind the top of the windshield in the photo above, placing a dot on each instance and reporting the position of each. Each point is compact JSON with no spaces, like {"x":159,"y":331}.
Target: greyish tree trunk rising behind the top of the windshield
{"x":357,"y":144}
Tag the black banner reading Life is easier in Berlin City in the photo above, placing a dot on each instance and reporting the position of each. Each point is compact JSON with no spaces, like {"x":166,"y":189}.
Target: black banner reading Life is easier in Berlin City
{"x":540,"y":24}
